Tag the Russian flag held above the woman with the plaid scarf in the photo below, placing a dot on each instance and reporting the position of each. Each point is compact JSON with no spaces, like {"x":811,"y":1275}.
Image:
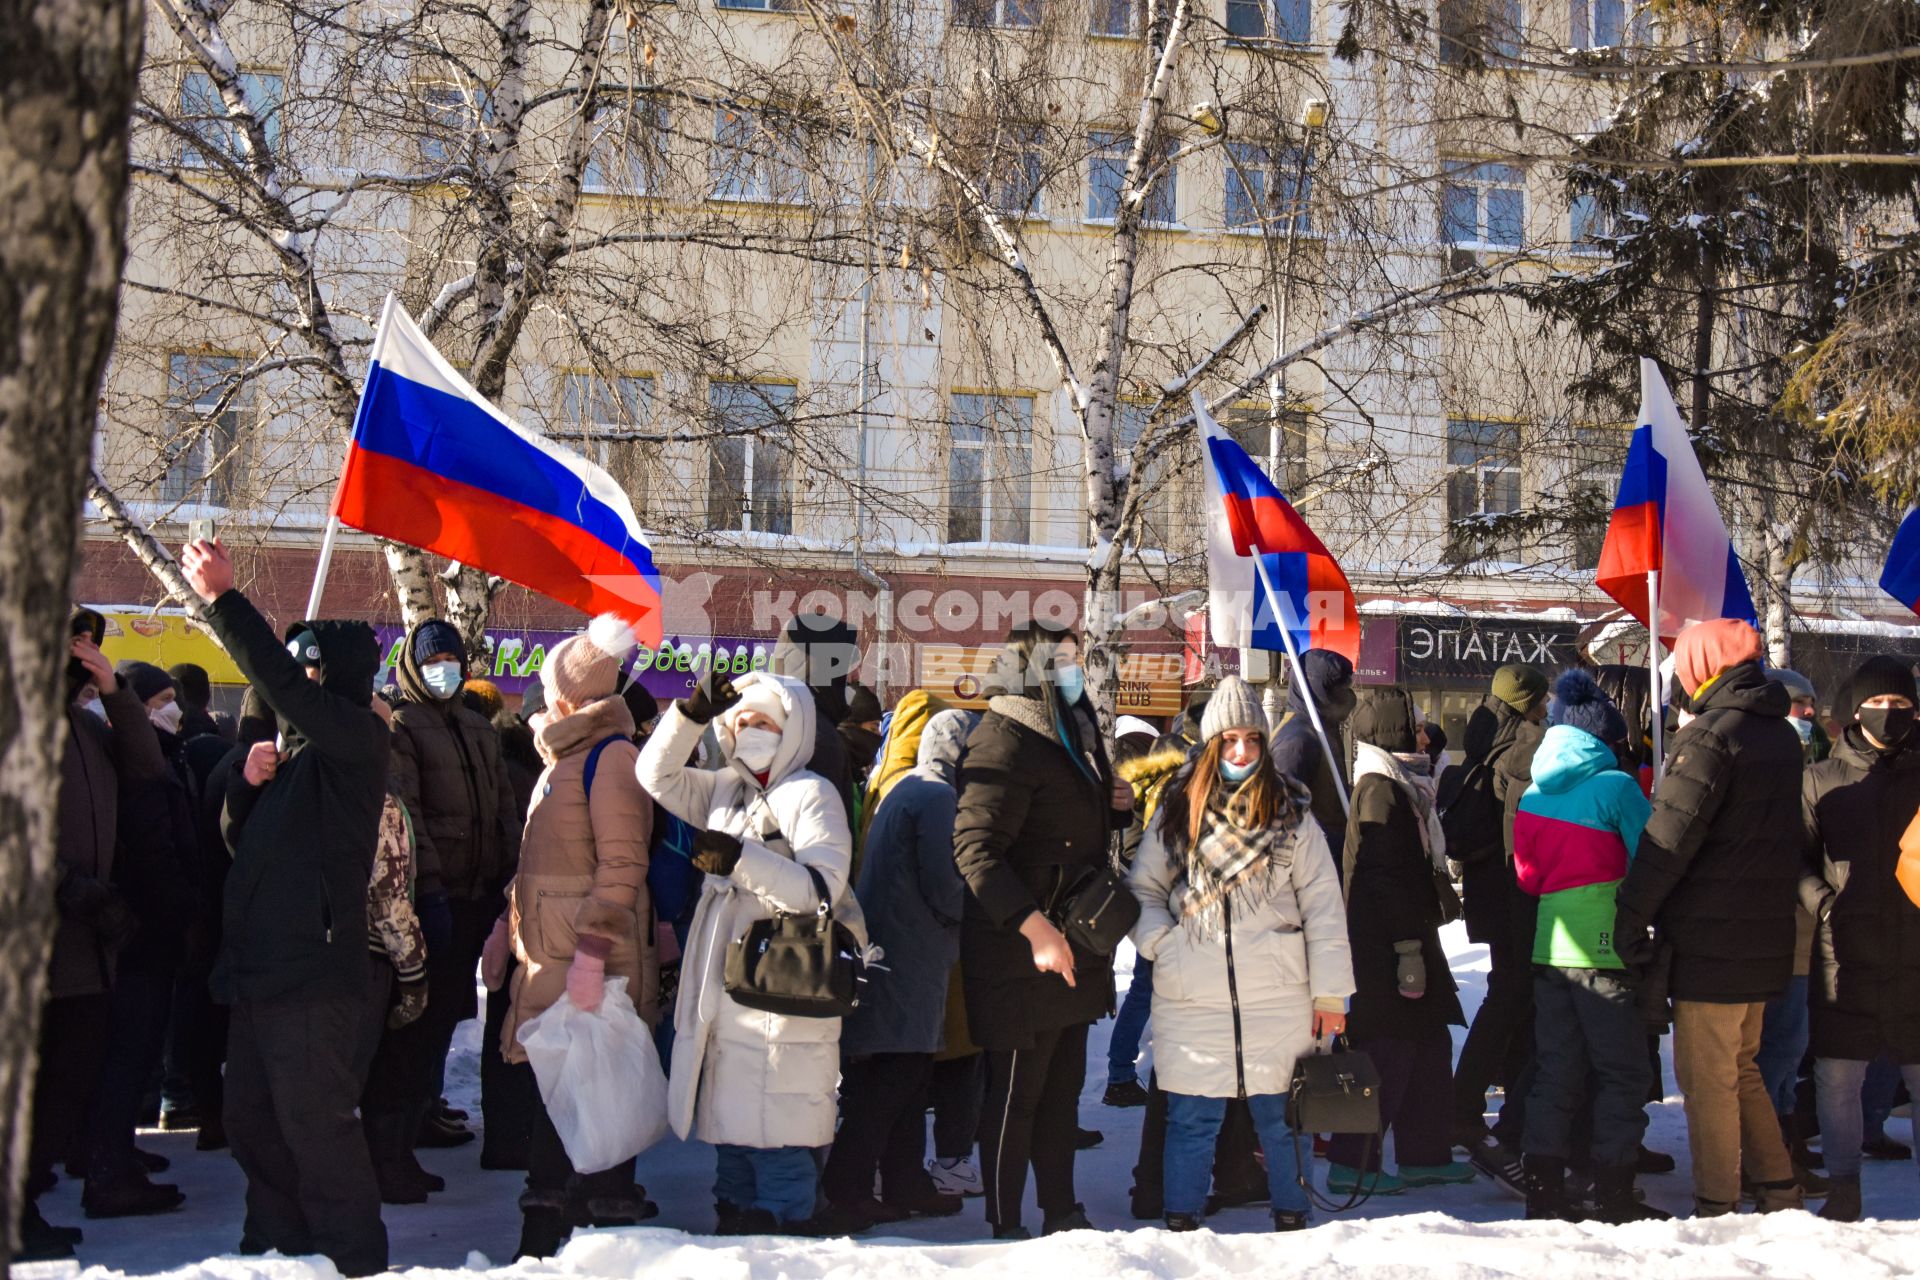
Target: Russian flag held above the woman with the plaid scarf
{"x":1266,"y":569}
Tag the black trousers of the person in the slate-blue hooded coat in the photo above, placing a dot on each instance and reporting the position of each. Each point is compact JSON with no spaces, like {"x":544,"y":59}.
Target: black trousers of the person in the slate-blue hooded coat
{"x":884,"y":1126}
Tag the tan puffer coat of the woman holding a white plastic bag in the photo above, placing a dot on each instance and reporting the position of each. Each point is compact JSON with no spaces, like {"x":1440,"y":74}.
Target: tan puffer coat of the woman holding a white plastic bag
{"x":583,"y":868}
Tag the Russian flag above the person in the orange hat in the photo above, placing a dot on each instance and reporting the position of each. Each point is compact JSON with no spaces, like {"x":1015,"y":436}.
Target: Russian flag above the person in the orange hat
{"x":1666,"y":521}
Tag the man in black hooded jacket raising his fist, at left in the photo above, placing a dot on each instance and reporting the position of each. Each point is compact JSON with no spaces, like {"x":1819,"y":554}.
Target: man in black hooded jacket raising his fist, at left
{"x":302,"y":824}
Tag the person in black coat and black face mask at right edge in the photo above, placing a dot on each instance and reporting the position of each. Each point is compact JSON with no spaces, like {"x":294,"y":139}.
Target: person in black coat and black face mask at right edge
{"x":1861,"y":805}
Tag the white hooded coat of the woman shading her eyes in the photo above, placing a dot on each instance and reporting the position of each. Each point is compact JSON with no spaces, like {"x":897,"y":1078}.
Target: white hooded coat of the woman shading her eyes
{"x":740,"y":1076}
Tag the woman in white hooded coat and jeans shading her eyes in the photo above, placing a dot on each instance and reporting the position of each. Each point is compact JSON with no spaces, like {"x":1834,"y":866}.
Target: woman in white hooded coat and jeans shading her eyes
{"x":756,"y":1085}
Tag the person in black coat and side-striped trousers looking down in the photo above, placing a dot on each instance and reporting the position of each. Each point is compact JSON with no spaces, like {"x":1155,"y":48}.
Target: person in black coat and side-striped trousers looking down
{"x":1038,"y":803}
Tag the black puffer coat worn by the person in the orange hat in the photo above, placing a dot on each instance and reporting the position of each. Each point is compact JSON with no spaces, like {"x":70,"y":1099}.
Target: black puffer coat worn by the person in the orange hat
{"x":1721,"y":859}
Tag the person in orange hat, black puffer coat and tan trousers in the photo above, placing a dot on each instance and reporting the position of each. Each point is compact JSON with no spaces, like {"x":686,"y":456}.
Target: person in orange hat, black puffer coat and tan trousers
{"x":1719,"y":874}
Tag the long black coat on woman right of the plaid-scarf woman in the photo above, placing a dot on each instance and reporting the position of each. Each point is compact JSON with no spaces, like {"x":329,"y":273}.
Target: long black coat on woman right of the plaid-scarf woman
{"x":1391,"y":899}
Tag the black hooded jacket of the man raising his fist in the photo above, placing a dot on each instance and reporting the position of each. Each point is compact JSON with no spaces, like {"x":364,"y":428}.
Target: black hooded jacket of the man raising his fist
{"x":297,"y":897}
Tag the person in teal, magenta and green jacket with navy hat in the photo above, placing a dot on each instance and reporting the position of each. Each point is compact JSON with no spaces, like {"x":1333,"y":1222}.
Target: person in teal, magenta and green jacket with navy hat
{"x":1577,"y":828}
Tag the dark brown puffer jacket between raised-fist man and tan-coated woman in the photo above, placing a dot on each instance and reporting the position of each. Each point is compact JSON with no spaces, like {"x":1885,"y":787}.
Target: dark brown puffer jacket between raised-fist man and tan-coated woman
{"x":450,"y":774}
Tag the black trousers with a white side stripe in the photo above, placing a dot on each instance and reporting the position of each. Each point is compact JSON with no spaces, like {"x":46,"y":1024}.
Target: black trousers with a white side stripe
{"x":1034,"y":1120}
